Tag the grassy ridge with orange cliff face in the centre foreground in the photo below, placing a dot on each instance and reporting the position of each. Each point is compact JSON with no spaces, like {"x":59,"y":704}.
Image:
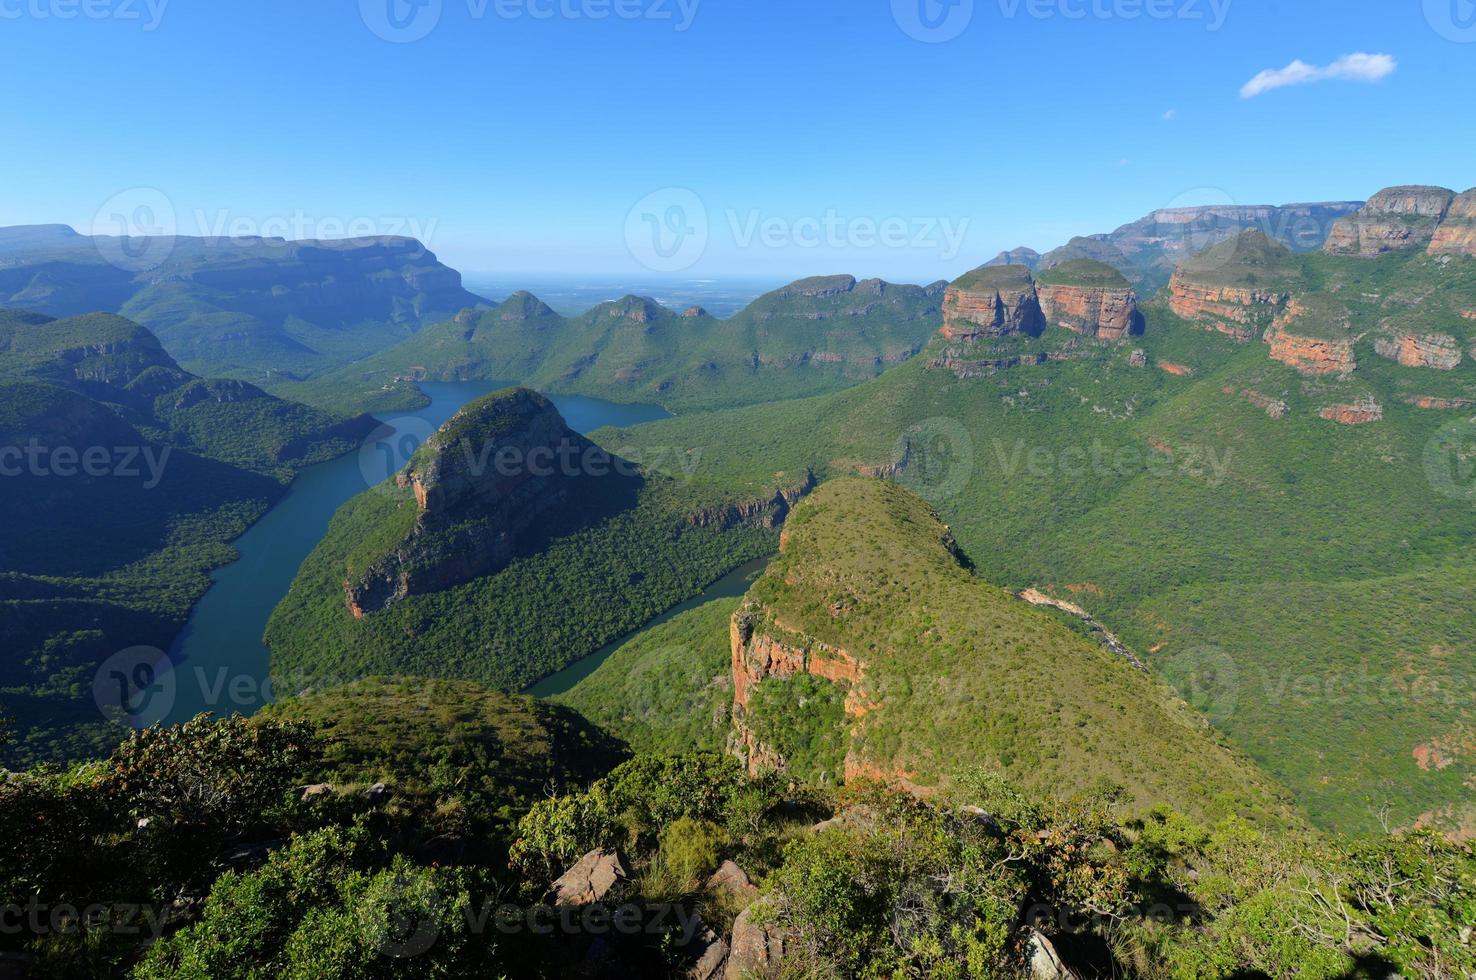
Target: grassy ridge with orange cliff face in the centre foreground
{"x":869,"y":650}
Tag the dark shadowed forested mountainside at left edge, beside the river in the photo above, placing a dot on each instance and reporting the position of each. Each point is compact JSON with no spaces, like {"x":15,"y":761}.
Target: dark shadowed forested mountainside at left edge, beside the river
{"x":125,"y":479}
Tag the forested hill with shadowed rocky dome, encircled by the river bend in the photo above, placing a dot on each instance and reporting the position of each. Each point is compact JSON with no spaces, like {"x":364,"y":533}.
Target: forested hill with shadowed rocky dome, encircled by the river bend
{"x":508,"y":548}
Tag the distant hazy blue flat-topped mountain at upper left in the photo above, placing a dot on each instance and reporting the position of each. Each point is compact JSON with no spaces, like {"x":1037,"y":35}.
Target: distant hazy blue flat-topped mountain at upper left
{"x":261,"y":309}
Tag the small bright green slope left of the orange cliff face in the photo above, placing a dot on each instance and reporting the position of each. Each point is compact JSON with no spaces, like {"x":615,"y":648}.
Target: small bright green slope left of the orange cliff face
{"x":669,"y":689}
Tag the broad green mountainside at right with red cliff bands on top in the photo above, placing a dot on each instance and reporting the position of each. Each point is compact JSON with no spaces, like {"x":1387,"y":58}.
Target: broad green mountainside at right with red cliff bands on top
{"x":1233,"y":494}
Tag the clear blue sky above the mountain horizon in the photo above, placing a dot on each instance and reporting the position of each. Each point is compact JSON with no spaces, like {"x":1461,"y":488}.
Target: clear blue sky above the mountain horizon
{"x":520,"y":145}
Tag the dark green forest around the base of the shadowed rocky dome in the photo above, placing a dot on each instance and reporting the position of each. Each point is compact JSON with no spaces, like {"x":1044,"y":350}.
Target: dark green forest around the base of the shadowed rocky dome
{"x":588,"y":587}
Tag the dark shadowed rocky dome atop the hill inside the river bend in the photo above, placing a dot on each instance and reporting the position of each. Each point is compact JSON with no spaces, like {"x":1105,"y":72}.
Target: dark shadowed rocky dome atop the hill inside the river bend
{"x":482,"y":485}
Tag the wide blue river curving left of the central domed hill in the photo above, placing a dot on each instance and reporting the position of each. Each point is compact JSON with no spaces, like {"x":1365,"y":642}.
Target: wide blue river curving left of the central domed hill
{"x":219,"y":660}
